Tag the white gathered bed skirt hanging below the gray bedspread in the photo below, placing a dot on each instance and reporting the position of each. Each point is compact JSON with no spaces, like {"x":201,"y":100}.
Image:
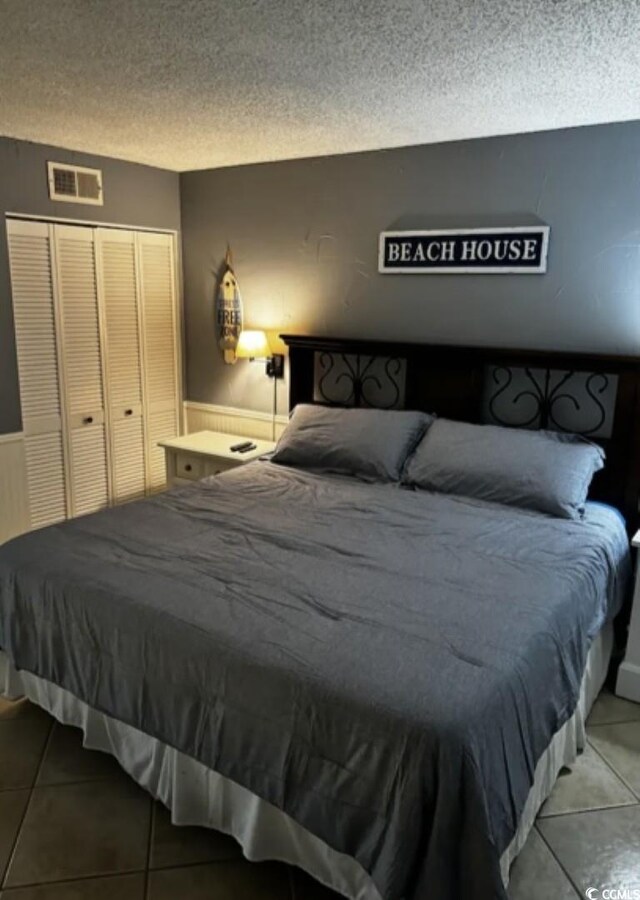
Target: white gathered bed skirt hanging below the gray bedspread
{"x":197,"y":795}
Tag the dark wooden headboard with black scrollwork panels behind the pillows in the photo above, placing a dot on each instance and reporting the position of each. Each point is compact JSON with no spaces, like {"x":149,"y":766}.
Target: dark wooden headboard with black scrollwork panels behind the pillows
{"x":519,"y":388}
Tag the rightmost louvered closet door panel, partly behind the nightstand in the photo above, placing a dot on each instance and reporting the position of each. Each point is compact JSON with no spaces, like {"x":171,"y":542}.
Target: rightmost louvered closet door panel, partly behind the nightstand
{"x":157,"y":286}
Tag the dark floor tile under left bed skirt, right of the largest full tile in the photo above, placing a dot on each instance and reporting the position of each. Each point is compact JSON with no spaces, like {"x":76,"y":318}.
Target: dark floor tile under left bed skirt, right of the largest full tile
{"x":173,"y":845}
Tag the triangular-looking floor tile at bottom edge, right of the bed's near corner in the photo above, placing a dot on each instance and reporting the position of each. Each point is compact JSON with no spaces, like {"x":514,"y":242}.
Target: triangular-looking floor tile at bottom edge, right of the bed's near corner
{"x":536,"y":873}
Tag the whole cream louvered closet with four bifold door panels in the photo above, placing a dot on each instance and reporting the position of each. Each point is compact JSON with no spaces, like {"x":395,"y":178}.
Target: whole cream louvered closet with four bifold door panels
{"x":96,"y":337}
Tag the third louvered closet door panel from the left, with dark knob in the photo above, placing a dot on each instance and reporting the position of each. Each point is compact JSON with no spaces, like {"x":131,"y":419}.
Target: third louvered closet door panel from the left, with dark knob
{"x":118,"y":288}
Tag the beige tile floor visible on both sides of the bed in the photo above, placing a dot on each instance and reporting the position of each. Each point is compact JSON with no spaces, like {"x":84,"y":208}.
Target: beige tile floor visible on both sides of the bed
{"x":73,"y":826}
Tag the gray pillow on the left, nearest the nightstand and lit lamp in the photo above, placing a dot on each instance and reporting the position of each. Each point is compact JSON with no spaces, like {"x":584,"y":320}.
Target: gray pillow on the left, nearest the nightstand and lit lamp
{"x":370,"y":443}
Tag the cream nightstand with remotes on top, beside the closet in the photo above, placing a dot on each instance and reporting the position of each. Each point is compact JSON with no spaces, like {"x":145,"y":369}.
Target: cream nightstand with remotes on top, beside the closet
{"x":194,"y":456}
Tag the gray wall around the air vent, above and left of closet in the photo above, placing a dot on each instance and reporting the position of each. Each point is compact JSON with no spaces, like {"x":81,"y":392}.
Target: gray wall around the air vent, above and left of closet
{"x":134,"y":195}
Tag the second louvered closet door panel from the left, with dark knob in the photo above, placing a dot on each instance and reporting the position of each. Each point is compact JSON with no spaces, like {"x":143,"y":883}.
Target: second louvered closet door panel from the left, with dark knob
{"x":82,"y":368}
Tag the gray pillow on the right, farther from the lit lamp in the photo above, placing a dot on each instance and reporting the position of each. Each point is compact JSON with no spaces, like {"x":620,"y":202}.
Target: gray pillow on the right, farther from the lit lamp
{"x":539,"y":470}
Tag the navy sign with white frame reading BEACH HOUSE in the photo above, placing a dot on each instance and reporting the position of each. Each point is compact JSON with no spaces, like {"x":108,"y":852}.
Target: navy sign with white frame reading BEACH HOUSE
{"x":520,"y":250}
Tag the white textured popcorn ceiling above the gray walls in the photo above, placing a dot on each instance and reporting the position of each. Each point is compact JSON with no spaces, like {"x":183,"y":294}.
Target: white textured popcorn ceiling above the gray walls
{"x":189,"y":84}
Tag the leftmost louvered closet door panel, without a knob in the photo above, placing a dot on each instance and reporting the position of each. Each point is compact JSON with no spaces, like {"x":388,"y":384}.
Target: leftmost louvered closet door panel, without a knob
{"x":35,"y":328}
